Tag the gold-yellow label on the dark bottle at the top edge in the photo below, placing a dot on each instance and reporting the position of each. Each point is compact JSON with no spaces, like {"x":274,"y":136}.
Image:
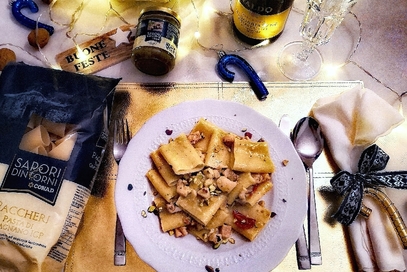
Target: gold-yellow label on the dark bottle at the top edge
{"x":257,"y":26}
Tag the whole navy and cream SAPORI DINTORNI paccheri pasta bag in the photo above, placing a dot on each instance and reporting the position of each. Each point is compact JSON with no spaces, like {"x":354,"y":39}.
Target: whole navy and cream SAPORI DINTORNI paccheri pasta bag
{"x":54,"y":131}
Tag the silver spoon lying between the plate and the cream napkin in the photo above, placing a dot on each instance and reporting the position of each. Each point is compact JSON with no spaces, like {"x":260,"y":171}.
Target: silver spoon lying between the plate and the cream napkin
{"x":309,"y":142}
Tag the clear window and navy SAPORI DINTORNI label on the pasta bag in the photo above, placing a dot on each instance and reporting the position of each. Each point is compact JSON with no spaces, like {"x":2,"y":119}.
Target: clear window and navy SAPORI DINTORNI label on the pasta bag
{"x":40,"y":162}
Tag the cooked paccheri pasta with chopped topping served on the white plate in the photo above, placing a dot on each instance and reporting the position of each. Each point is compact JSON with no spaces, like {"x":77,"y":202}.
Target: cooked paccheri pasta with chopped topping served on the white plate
{"x":219,"y":188}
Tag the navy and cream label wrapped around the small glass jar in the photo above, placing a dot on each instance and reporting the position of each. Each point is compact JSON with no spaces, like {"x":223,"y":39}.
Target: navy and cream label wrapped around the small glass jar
{"x":157,"y":33}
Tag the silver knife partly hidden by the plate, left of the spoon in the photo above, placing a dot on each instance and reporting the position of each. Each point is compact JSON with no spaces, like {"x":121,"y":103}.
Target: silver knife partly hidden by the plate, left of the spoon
{"x":303,"y":258}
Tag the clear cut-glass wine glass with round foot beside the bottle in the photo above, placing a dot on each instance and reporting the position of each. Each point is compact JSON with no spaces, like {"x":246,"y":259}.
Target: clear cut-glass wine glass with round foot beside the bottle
{"x":301,"y":60}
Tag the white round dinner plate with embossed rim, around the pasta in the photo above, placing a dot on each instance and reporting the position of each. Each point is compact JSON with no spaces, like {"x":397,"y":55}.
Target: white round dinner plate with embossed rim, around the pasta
{"x":166,"y":253}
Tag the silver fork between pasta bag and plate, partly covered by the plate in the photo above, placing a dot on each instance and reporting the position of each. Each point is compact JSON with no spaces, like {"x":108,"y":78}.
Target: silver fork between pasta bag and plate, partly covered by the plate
{"x":121,"y":138}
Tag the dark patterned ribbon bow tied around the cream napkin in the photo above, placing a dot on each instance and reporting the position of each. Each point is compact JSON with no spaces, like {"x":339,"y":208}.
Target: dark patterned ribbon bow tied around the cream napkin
{"x":351,"y":186}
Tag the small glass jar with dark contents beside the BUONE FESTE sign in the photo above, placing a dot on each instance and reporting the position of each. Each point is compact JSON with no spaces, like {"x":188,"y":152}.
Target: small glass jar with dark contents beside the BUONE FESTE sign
{"x":156,"y":41}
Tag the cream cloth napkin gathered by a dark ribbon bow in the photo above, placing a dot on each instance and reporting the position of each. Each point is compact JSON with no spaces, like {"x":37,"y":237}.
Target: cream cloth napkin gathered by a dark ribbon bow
{"x":351,"y":122}
